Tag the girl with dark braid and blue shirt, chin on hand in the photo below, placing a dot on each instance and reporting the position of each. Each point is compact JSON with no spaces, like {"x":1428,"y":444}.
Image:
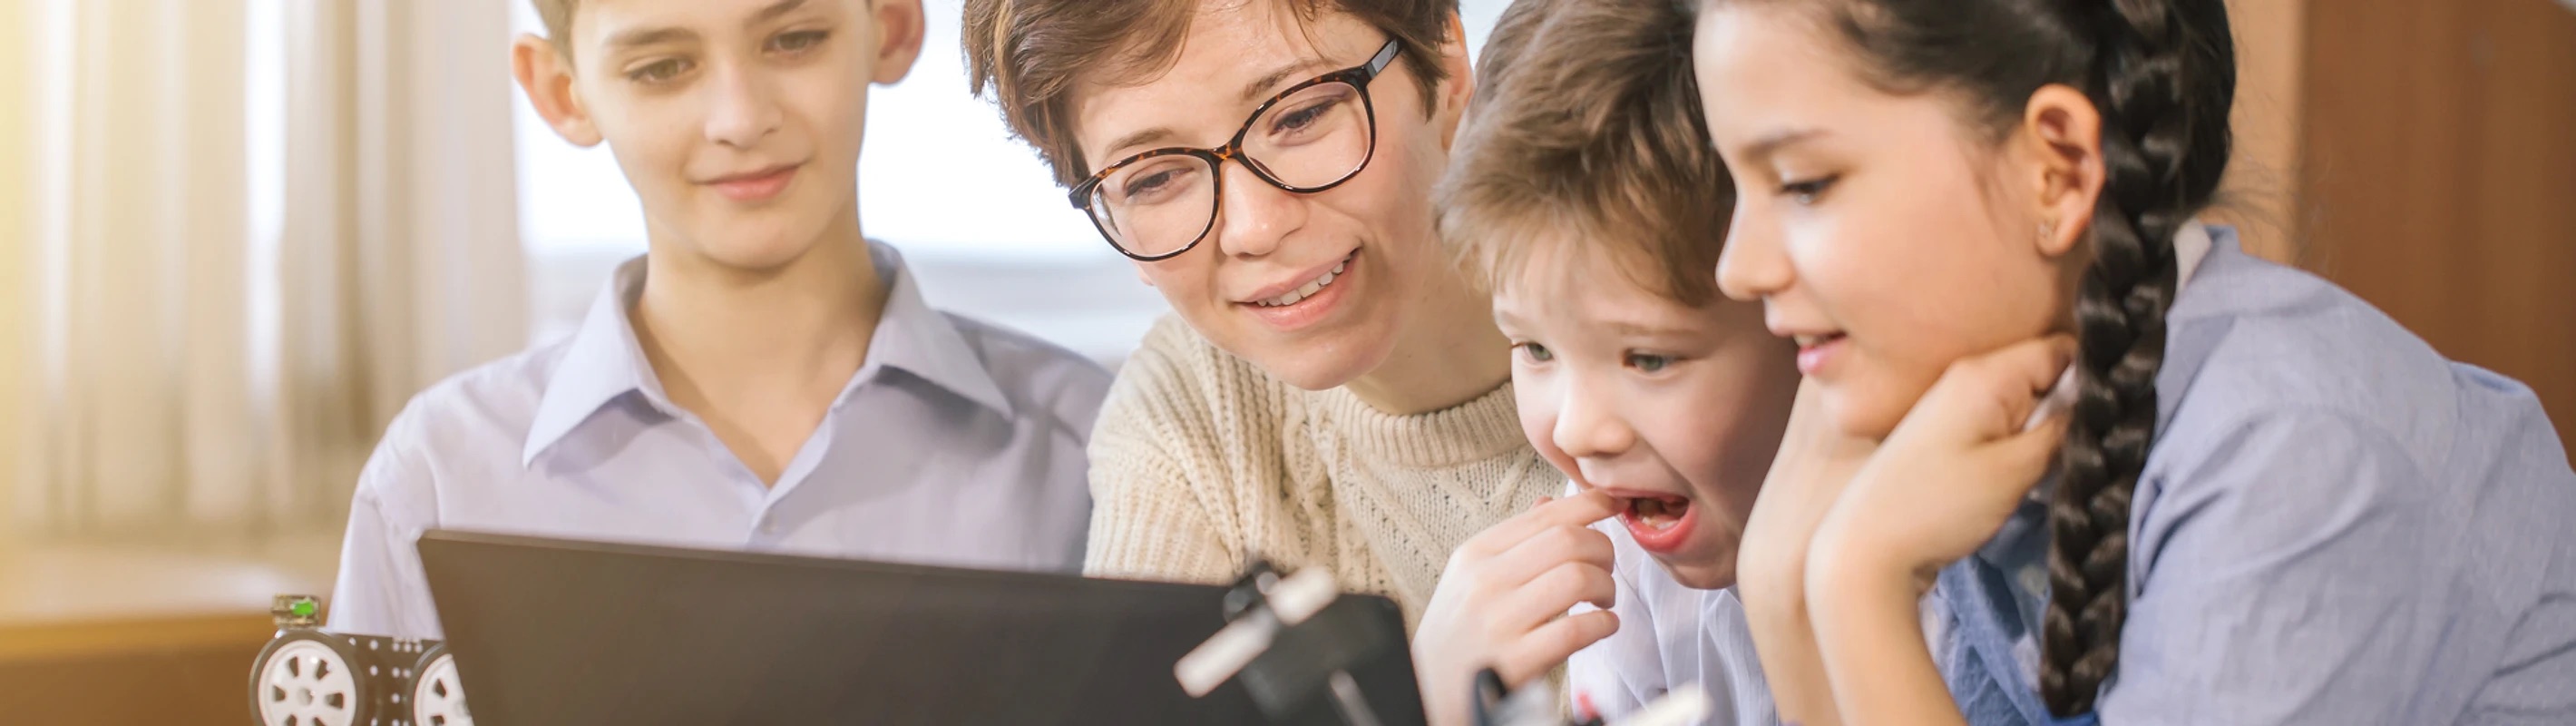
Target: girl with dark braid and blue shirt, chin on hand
{"x":2266,"y":503}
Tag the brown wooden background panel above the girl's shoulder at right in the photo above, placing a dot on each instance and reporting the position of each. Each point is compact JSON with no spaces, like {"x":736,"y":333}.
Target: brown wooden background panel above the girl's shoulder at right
{"x":2441,"y":176}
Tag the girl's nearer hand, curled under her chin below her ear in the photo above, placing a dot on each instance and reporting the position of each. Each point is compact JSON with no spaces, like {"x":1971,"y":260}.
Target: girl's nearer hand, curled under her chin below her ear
{"x":1951,"y":472}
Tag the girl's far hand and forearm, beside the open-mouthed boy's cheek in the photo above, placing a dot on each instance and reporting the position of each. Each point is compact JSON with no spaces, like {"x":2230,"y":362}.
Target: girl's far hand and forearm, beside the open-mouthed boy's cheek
{"x":1810,"y":472}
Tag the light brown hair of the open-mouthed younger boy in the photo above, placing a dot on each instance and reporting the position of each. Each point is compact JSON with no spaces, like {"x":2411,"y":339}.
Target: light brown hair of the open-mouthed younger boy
{"x":1588,"y":130}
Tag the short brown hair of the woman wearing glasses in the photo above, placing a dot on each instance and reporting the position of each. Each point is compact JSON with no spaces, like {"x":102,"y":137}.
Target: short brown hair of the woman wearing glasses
{"x":1037,"y":55}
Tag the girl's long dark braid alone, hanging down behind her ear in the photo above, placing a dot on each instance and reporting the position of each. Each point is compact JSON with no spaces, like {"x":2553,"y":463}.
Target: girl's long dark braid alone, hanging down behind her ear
{"x":2165,"y":145}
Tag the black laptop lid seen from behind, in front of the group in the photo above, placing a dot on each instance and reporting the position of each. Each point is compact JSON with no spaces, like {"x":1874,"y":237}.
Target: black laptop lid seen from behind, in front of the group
{"x":565,"y":632}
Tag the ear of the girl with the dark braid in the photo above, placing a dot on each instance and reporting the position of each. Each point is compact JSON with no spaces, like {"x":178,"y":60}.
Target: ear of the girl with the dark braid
{"x":2062,"y":135}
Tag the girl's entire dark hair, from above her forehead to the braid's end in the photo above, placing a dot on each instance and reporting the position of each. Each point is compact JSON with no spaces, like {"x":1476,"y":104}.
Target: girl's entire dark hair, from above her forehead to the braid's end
{"x":2163,"y":73}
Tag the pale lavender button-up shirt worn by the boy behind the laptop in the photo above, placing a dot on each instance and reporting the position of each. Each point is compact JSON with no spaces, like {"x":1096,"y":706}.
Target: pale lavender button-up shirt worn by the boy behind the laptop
{"x":954,"y":444}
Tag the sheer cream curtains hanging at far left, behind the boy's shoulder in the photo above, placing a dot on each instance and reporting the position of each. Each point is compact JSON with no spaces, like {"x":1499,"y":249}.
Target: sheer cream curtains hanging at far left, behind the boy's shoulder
{"x":228,"y":313}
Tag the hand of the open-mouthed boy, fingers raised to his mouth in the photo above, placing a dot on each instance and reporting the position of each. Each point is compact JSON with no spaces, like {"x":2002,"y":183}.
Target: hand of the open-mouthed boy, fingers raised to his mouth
{"x":1506,"y":596}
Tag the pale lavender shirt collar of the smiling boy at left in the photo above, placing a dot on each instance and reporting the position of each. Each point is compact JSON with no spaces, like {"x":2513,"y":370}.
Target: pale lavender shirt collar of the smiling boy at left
{"x":604,"y":359}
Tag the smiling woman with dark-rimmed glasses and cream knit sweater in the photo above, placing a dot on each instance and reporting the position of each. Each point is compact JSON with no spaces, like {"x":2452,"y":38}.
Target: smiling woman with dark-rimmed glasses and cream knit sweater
{"x":1331,"y":390}
